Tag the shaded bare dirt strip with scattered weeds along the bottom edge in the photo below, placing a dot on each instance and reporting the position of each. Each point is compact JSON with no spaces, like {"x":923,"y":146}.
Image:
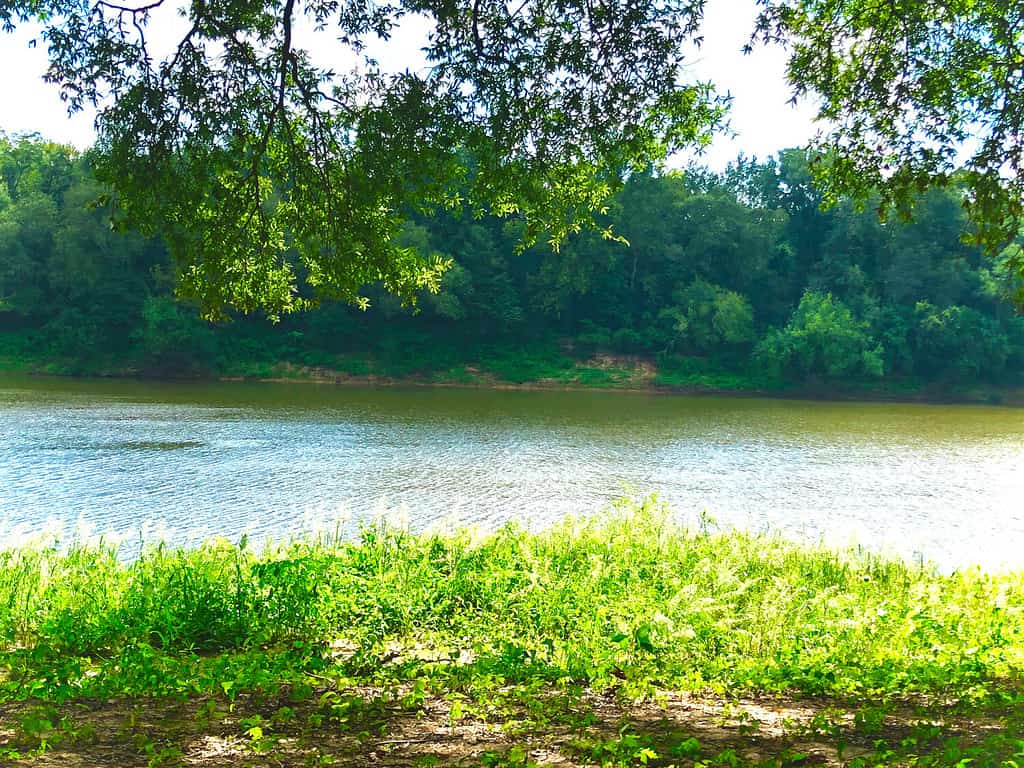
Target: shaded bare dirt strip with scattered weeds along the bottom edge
{"x":588,"y":731}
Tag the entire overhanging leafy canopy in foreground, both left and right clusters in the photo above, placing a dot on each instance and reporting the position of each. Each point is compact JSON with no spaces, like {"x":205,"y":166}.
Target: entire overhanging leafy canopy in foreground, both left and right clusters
{"x":276,"y":181}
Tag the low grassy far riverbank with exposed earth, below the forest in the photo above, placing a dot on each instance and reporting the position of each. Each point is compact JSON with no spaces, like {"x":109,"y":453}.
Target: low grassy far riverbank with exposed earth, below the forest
{"x":601,"y":372}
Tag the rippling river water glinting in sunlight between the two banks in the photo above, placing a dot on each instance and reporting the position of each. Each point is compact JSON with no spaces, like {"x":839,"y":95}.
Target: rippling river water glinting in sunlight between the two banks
{"x":942,"y":483}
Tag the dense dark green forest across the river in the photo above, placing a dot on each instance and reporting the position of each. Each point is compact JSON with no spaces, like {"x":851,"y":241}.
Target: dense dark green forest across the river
{"x":738,"y":279}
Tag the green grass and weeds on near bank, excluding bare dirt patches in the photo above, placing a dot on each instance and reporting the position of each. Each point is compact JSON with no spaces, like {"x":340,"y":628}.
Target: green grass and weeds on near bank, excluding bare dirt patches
{"x":627,"y":603}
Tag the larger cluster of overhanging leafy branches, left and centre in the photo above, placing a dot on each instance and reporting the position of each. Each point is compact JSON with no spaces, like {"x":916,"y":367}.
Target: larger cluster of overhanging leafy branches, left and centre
{"x":276,"y":182}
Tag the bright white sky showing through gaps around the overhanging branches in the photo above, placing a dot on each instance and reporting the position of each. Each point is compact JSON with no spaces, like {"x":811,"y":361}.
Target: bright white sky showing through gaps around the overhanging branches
{"x":761,"y":118}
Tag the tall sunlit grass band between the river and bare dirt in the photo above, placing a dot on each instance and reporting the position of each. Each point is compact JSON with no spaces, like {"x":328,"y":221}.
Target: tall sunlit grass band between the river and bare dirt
{"x":626,"y":599}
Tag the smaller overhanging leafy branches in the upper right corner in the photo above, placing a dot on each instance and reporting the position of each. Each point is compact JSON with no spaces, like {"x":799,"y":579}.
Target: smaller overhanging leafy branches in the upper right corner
{"x":909,"y":89}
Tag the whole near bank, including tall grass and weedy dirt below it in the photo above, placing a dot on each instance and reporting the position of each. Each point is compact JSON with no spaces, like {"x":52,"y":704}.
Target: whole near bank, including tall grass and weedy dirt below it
{"x":622,"y":639}
